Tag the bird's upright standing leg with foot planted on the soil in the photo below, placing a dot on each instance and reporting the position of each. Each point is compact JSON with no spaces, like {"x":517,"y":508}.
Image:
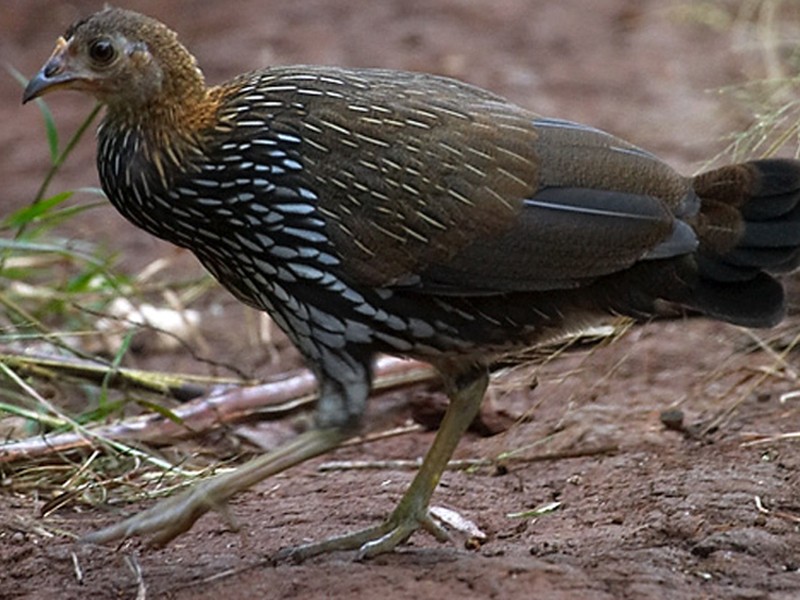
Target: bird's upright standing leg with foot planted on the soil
{"x":466,"y":393}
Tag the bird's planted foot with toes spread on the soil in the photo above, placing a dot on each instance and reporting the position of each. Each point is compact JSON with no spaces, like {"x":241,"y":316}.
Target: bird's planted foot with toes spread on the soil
{"x":371,"y":541}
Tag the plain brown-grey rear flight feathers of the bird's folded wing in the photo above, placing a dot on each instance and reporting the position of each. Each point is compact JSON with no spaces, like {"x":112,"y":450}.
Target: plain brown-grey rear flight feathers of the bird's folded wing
{"x":601,"y":205}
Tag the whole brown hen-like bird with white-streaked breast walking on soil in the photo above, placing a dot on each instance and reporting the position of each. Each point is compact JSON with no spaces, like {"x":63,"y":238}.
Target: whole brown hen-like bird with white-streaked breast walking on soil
{"x":377,"y":211}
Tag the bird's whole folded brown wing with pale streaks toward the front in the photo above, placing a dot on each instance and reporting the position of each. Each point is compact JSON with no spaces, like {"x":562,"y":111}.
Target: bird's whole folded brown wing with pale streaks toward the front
{"x":434,"y":185}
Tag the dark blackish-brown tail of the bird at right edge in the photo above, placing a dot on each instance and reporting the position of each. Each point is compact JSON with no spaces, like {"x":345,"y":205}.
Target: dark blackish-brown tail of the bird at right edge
{"x":749,"y":229}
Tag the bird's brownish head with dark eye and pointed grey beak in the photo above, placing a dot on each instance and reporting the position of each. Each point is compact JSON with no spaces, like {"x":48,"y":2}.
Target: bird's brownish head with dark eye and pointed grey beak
{"x":124,"y":59}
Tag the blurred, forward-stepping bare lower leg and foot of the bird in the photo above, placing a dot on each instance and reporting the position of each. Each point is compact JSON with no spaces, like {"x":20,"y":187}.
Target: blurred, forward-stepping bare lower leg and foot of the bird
{"x":173,"y":516}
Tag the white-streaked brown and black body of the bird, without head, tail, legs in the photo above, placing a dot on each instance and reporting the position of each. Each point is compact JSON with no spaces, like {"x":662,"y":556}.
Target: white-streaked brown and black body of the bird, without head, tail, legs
{"x":411,"y":212}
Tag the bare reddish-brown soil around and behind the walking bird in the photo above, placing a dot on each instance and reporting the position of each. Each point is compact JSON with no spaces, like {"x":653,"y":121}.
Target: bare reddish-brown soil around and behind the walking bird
{"x":645,"y":511}
